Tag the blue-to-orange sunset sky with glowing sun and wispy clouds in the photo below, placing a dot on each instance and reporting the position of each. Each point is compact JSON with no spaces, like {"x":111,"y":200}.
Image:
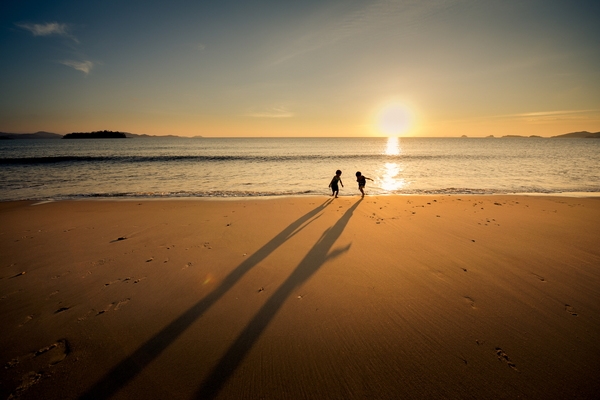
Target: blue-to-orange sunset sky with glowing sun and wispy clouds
{"x":331,"y":68}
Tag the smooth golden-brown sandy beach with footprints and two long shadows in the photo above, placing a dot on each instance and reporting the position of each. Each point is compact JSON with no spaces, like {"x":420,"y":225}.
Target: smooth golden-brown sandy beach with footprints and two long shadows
{"x":386,"y":297}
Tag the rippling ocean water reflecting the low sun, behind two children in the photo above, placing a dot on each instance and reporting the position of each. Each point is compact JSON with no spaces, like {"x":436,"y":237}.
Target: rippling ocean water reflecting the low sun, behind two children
{"x":244,"y":167}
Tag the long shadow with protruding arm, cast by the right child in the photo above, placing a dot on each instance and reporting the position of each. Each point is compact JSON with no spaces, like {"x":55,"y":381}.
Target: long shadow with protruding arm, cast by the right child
{"x":313,"y":260}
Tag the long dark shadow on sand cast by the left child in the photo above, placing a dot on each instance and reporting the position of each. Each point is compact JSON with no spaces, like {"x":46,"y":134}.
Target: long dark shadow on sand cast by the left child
{"x":130,"y":367}
